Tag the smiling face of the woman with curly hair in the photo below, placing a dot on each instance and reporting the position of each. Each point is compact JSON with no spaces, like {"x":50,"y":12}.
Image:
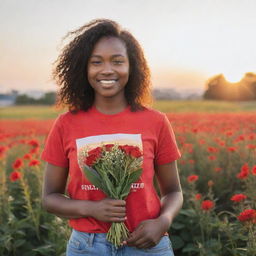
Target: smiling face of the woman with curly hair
{"x":108,"y":68}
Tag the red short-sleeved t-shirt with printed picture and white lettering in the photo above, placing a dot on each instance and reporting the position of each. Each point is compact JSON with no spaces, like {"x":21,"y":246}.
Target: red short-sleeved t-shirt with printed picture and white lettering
{"x":149,"y":129}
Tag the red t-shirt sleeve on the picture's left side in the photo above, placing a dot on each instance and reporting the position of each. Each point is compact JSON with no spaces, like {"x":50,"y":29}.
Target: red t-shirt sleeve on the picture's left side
{"x":54,"y":151}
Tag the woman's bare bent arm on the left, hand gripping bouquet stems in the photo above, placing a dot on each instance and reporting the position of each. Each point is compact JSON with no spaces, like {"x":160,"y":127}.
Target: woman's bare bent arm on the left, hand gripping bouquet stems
{"x":55,"y":201}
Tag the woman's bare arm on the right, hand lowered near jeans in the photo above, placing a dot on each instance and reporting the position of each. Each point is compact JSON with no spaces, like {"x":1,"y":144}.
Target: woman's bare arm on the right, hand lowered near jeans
{"x":149,"y":232}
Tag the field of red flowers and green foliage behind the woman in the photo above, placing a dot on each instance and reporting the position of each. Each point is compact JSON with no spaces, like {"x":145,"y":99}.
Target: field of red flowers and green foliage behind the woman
{"x":217,"y":171}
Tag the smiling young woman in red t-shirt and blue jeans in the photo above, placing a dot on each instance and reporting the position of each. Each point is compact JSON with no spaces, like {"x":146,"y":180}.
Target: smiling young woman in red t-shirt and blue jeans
{"x":105,"y":82}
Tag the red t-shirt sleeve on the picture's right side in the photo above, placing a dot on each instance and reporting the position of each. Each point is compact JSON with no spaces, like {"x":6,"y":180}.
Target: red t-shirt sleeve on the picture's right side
{"x":167,"y":150}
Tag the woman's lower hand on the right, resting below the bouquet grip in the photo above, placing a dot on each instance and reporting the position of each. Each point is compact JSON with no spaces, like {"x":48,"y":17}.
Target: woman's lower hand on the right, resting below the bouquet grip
{"x":148,"y":233}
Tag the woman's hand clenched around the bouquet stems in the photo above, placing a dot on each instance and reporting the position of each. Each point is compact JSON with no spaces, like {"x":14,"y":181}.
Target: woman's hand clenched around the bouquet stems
{"x":109,"y":210}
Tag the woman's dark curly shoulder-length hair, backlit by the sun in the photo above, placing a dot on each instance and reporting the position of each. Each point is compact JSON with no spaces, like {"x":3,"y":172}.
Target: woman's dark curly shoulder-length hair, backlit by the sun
{"x":70,"y":71}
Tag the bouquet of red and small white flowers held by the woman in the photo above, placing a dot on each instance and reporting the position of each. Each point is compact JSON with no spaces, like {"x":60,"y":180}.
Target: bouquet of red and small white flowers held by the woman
{"x":113,"y":168}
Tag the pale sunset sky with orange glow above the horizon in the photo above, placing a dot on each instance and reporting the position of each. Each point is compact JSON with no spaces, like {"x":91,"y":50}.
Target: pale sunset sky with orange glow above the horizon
{"x":185,"y":42}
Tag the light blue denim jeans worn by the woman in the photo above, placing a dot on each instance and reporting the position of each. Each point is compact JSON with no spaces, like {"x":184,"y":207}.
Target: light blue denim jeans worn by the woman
{"x":81,"y":243}
